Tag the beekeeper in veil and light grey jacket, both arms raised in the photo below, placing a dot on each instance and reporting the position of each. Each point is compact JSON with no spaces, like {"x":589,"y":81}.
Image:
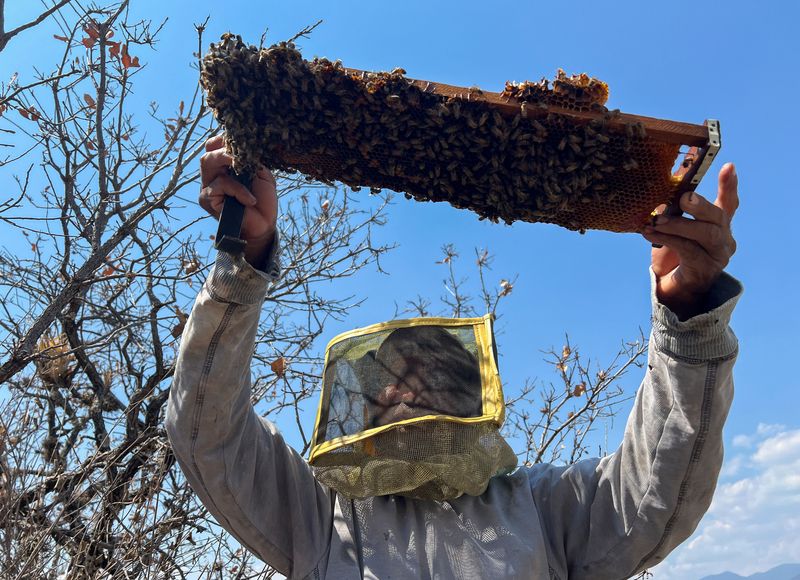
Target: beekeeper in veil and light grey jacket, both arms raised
{"x":411,"y":477}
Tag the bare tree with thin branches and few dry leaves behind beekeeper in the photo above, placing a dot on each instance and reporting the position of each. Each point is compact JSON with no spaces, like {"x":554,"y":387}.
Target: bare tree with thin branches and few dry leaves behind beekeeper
{"x":95,"y":298}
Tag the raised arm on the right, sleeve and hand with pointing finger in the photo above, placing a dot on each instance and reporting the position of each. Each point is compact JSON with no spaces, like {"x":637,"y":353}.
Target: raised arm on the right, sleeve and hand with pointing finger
{"x":612,"y":517}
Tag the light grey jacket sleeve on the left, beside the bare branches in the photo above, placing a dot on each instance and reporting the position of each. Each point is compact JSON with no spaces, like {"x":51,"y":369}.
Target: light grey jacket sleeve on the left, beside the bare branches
{"x":252,"y":482}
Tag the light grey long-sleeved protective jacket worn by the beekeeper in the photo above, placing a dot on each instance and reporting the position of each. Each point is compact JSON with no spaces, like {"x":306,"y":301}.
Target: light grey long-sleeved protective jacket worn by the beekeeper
{"x":598,"y":519}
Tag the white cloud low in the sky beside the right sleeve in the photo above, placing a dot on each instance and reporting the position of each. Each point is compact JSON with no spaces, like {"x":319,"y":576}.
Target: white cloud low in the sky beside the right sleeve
{"x":754,"y":522}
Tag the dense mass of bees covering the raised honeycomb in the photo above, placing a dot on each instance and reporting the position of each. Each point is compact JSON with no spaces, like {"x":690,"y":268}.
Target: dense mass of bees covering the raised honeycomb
{"x":383,"y":130}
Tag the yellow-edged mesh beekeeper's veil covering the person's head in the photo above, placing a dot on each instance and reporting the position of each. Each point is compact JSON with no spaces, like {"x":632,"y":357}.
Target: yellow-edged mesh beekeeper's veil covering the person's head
{"x":411,"y":407}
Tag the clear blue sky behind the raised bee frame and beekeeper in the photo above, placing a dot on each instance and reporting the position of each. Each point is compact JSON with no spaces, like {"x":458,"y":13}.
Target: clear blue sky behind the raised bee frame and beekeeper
{"x":734,"y":61}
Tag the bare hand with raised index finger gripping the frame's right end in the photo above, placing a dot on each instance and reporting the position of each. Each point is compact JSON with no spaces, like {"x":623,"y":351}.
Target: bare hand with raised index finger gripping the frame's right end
{"x":695,"y":251}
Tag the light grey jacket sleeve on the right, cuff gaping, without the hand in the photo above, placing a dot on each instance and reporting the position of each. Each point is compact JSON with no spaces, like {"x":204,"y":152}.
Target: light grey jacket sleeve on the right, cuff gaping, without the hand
{"x":612,"y":517}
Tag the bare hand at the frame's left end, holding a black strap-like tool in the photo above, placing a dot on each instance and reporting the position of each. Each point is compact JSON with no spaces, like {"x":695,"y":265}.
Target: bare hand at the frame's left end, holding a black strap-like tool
{"x":260,"y":202}
